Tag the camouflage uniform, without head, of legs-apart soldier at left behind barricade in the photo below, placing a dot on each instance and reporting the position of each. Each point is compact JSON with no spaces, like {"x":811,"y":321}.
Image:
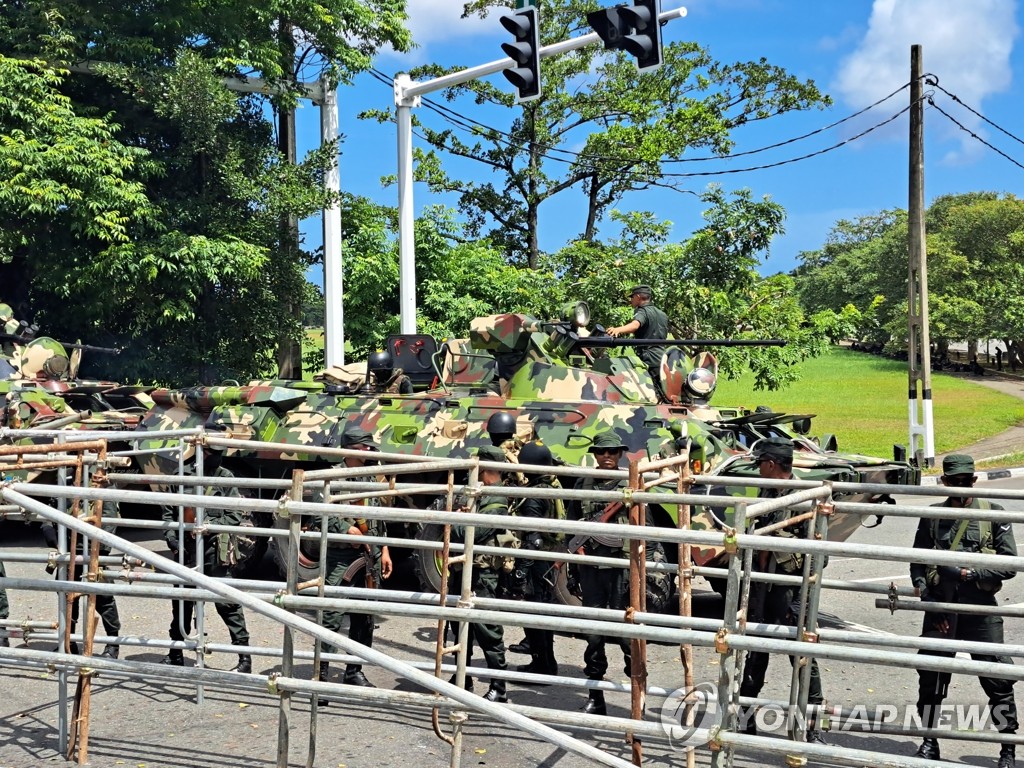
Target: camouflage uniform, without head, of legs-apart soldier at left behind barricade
{"x":214,"y":566}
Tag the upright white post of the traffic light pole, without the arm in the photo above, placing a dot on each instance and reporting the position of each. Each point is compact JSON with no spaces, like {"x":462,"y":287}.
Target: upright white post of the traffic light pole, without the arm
{"x":407,"y":218}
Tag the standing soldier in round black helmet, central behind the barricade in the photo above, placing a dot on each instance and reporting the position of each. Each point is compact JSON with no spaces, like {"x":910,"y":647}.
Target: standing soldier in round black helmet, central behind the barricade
{"x":535,"y":579}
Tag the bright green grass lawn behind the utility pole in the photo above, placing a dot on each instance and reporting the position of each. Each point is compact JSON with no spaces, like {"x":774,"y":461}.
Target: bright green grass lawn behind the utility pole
{"x":863,"y":400}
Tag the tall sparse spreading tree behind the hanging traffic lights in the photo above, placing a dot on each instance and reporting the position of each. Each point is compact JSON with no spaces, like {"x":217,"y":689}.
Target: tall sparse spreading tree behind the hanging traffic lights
{"x":628,"y":125}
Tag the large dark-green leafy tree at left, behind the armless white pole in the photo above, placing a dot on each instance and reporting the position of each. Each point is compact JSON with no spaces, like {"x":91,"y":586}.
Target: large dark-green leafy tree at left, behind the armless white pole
{"x":223,"y":280}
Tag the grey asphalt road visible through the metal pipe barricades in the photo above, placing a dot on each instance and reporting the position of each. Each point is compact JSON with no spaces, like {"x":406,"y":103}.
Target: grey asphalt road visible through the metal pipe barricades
{"x":158,"y":724}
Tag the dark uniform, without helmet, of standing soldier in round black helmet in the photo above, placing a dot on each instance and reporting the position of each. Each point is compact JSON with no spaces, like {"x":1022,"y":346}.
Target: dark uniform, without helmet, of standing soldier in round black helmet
{"x":536,"y":578}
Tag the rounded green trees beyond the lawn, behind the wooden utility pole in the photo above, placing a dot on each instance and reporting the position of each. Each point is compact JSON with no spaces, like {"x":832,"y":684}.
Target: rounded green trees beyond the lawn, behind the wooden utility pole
{"x":975,"y":274}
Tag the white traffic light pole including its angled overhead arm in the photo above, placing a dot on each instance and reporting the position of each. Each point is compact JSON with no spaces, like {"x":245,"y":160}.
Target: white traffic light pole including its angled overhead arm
{"x":408,"y":97}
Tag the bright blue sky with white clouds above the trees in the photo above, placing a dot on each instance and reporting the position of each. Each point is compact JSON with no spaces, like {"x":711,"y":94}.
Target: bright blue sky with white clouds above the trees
{"x":857,"y":51}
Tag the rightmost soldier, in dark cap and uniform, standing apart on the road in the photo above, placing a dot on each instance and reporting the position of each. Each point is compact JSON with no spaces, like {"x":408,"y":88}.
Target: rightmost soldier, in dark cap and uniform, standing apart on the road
{"x":969,"y":586}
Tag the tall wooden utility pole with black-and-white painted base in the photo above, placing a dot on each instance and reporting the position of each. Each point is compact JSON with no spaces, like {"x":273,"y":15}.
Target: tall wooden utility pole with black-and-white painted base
{"x":919,"y":347}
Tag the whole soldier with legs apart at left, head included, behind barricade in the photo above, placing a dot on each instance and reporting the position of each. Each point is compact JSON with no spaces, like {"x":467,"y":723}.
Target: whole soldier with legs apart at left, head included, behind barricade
{"x":218,"y":561}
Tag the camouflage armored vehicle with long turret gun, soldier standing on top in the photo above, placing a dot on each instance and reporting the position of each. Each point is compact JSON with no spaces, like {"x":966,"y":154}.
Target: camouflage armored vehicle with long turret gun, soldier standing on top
{"x":562,"y":383}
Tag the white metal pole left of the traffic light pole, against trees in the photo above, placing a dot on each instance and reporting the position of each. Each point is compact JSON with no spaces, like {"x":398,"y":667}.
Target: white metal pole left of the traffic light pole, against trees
{"x":334,"y":320}
